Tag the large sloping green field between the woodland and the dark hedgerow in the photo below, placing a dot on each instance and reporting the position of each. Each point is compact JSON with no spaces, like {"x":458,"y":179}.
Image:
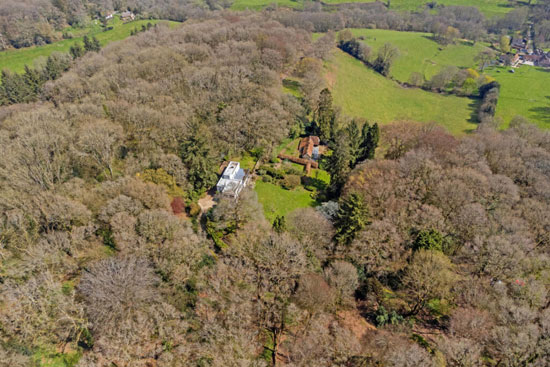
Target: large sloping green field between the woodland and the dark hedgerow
{"x":363,"y":93}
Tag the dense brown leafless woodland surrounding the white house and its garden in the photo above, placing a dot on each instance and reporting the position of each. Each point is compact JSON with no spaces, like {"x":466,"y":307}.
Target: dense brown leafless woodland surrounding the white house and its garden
{"x":429,"y":250}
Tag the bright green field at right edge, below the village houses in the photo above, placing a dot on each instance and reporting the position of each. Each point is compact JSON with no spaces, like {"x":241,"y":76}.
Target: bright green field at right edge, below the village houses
{"x":524,"y":93}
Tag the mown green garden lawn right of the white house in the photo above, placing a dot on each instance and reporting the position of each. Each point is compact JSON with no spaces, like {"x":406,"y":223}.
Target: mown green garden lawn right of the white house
{"x":278,"y":201}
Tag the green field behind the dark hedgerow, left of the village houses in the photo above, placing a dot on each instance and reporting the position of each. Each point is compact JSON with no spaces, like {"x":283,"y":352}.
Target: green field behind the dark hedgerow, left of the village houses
{"x":419,"y":53}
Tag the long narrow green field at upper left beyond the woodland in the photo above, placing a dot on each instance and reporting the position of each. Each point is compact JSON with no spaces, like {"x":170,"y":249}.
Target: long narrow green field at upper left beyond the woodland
{"x":15,"y":60}
